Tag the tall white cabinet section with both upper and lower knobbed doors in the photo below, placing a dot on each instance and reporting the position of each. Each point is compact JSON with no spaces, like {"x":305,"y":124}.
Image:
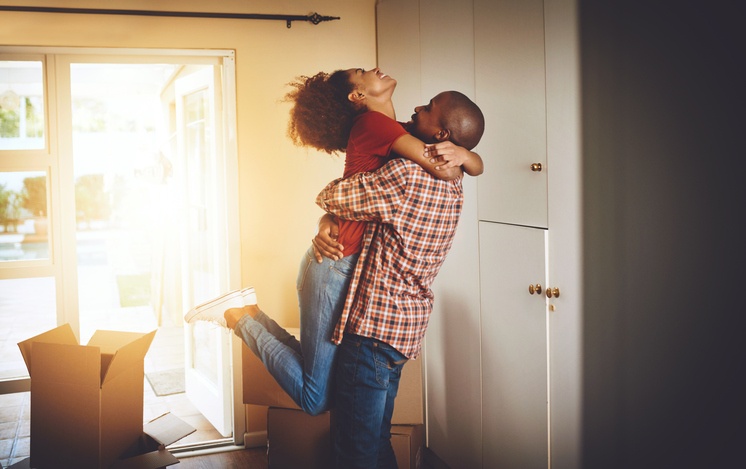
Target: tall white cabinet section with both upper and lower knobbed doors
{"x":513,"y":211}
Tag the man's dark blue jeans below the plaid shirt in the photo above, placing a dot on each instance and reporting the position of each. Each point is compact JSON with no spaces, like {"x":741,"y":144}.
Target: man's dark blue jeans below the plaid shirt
{"x":368,"y":374}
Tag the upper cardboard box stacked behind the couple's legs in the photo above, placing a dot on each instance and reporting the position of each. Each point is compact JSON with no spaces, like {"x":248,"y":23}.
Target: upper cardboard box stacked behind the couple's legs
{"x":260,"y":388}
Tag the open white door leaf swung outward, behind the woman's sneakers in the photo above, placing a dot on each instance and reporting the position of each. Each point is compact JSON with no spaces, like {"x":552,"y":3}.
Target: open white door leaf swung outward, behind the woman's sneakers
{"x":204,"y":240}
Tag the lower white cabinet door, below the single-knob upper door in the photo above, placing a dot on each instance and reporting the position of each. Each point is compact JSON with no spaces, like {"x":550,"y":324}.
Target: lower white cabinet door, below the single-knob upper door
{"x":514,"y":347}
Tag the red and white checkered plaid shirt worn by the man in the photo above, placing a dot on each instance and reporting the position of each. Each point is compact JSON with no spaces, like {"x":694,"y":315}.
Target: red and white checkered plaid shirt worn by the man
{"x":416,"y":217}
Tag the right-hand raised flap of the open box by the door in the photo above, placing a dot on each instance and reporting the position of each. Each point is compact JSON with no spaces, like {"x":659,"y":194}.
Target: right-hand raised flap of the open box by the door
{"x":120,"y":350}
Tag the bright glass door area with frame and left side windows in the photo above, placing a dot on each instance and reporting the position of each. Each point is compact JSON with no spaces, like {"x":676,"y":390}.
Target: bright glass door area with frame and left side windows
{"x":118,"y":168}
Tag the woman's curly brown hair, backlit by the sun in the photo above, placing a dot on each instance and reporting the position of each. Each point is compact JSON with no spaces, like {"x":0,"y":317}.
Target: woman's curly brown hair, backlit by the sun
{"x":322,"y":115}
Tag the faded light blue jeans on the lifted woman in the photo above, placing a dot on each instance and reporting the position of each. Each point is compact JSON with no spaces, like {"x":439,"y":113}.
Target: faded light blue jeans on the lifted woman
{"x":305,"y":369}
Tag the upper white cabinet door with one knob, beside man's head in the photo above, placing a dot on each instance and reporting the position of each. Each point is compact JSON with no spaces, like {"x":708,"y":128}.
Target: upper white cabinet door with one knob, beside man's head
{"x":510,"y":89}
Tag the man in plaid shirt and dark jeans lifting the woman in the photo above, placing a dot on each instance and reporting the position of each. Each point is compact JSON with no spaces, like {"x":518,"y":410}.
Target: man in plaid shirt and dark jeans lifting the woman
{"x":389,"y":301}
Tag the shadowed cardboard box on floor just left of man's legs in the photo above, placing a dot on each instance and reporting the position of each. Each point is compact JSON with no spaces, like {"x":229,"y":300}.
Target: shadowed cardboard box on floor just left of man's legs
{"x":296,"y":439}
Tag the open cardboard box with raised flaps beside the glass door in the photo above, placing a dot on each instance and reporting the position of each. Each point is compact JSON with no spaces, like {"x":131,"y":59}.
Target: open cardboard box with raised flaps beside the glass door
{"x":86,"y":401}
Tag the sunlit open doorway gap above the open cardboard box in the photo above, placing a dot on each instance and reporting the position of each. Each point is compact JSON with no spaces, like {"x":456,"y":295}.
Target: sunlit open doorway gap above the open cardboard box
{"x":121,"y":186}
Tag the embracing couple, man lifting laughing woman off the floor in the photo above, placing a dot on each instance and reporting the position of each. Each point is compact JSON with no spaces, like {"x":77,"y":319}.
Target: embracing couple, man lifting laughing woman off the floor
{"x":364,"y":285}
